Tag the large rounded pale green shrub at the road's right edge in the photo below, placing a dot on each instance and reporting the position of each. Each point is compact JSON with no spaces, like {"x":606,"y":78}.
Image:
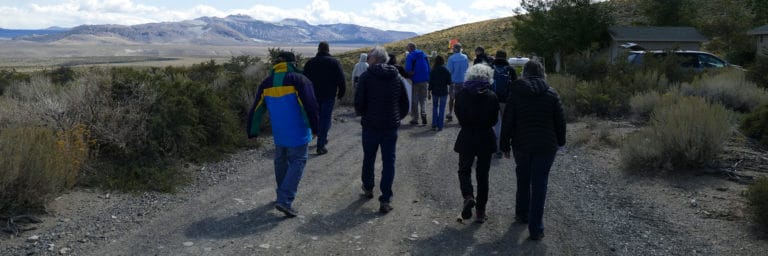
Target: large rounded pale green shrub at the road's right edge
{"x":684,"y":135}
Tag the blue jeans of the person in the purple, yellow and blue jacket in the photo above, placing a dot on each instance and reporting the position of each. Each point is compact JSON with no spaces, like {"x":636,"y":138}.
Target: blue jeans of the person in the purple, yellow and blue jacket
{"x":289,"y":167}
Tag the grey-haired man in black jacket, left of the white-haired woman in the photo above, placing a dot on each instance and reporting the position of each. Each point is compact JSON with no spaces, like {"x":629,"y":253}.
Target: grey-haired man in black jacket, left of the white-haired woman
{"x":382,"y":102}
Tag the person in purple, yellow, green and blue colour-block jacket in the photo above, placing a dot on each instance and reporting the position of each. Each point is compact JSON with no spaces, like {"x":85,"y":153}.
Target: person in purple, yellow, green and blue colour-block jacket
{"x":293,"y":114}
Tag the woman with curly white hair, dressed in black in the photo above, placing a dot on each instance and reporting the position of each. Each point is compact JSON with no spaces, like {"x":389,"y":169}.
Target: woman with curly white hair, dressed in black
{"x":477,"y":109}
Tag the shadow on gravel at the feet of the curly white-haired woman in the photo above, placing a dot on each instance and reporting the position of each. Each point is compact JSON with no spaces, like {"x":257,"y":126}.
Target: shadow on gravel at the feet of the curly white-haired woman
{"x":450,"y":241}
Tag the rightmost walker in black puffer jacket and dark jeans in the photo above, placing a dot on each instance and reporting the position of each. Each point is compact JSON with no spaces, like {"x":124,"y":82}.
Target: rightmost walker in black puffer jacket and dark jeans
{"x":534,"y":124}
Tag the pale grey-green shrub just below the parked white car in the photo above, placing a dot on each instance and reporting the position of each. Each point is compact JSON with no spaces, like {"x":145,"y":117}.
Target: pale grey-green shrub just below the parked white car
{"x":728,"y":88}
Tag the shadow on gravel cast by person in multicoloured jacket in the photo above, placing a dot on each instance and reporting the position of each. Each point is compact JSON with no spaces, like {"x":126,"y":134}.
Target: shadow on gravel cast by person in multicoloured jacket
{"x":241,"y":224}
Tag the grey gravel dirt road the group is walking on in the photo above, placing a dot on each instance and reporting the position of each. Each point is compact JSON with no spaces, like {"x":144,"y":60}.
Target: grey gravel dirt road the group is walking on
{"x":593,"y":208}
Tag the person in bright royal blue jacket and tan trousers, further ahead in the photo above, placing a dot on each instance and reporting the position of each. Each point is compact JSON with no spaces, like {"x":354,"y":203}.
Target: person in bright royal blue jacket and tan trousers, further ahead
{"x":417,"y":66}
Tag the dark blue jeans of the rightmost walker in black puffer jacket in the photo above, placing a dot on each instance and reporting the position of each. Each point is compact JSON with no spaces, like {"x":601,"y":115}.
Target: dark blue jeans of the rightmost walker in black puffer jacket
{"x":532,"y":174}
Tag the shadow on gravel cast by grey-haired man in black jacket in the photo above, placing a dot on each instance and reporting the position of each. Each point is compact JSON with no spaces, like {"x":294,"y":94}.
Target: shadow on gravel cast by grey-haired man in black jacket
{"x":344,"y":219}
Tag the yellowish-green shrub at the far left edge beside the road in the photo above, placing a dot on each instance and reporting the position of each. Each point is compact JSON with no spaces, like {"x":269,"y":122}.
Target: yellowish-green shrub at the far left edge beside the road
{"x":37,"y":164}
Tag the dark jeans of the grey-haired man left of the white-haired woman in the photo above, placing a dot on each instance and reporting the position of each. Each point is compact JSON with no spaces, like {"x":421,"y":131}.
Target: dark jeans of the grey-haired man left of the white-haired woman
{"x":372,"y":139}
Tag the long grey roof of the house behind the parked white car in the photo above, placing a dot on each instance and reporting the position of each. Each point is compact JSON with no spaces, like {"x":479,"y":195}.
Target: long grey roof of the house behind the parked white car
{"x":656,"y":34}
